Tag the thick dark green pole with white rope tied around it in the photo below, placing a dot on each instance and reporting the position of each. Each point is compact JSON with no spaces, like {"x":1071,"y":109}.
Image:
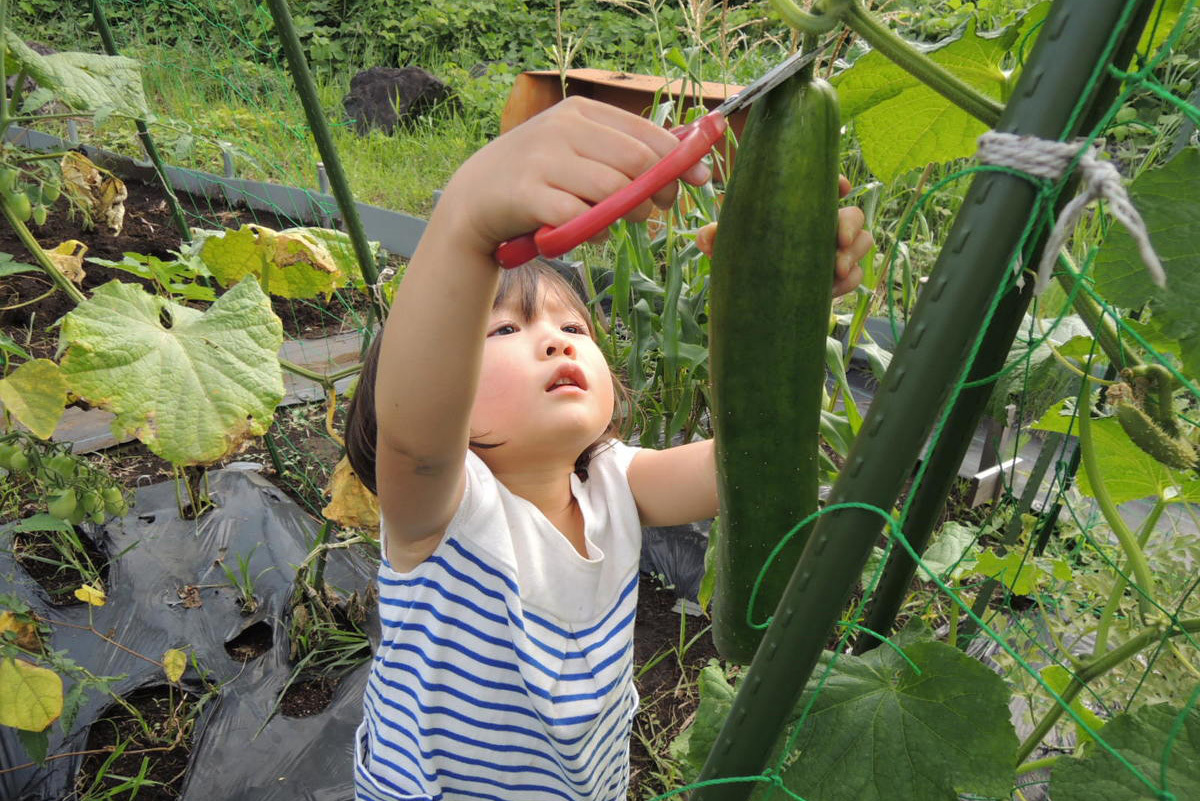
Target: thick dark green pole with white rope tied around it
{"x":962,"y":290}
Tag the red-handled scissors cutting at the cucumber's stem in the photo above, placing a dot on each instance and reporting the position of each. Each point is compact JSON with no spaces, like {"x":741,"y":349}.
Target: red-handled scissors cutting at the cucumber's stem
{"x":695,"y":141}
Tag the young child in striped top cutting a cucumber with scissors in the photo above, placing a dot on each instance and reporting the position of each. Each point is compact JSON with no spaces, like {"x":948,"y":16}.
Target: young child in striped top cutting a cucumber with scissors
{"x":512,"y":517}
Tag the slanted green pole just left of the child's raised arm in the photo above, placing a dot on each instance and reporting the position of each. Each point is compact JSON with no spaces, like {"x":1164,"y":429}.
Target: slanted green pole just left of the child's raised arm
{"x":316,"y":116}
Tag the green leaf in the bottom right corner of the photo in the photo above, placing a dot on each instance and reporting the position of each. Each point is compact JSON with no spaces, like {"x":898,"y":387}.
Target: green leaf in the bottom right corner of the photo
{"x":1161,"y":743}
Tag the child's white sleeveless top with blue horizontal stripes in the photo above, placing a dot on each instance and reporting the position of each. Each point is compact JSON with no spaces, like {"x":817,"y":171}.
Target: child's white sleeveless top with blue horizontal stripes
{"x":505,"y":671}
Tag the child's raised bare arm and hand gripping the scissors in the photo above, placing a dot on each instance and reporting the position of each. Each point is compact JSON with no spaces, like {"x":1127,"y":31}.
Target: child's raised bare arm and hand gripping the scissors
{"x":544,"y":172}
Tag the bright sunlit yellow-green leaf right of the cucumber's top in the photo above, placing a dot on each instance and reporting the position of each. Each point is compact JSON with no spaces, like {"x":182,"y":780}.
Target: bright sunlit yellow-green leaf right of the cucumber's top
{"x":902,"y":123}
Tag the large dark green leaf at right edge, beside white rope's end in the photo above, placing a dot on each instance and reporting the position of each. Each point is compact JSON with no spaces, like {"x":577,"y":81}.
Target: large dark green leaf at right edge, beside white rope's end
{"x":1169,"y":203}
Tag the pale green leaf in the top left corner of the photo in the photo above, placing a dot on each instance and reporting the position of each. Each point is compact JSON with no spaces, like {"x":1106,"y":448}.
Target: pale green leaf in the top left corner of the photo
{"x":86,"y":82}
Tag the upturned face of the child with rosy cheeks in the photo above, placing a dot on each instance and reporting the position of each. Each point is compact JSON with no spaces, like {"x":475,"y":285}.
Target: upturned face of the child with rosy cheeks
{"x":545,"y":390}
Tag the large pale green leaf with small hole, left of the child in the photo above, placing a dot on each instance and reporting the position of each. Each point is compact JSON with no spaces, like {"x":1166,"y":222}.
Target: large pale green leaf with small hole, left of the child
{"x":193,"y":386}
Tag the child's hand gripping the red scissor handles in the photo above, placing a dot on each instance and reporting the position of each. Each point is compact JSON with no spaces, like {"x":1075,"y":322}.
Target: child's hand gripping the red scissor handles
{"x":555,"y":167}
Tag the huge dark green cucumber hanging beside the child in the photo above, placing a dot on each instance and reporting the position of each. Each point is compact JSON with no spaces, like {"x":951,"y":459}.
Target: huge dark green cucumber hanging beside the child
{"x":773,"y":268}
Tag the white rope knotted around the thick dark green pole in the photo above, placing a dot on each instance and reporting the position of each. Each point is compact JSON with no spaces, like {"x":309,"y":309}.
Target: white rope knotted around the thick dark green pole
{"x":1101,"y":182}
